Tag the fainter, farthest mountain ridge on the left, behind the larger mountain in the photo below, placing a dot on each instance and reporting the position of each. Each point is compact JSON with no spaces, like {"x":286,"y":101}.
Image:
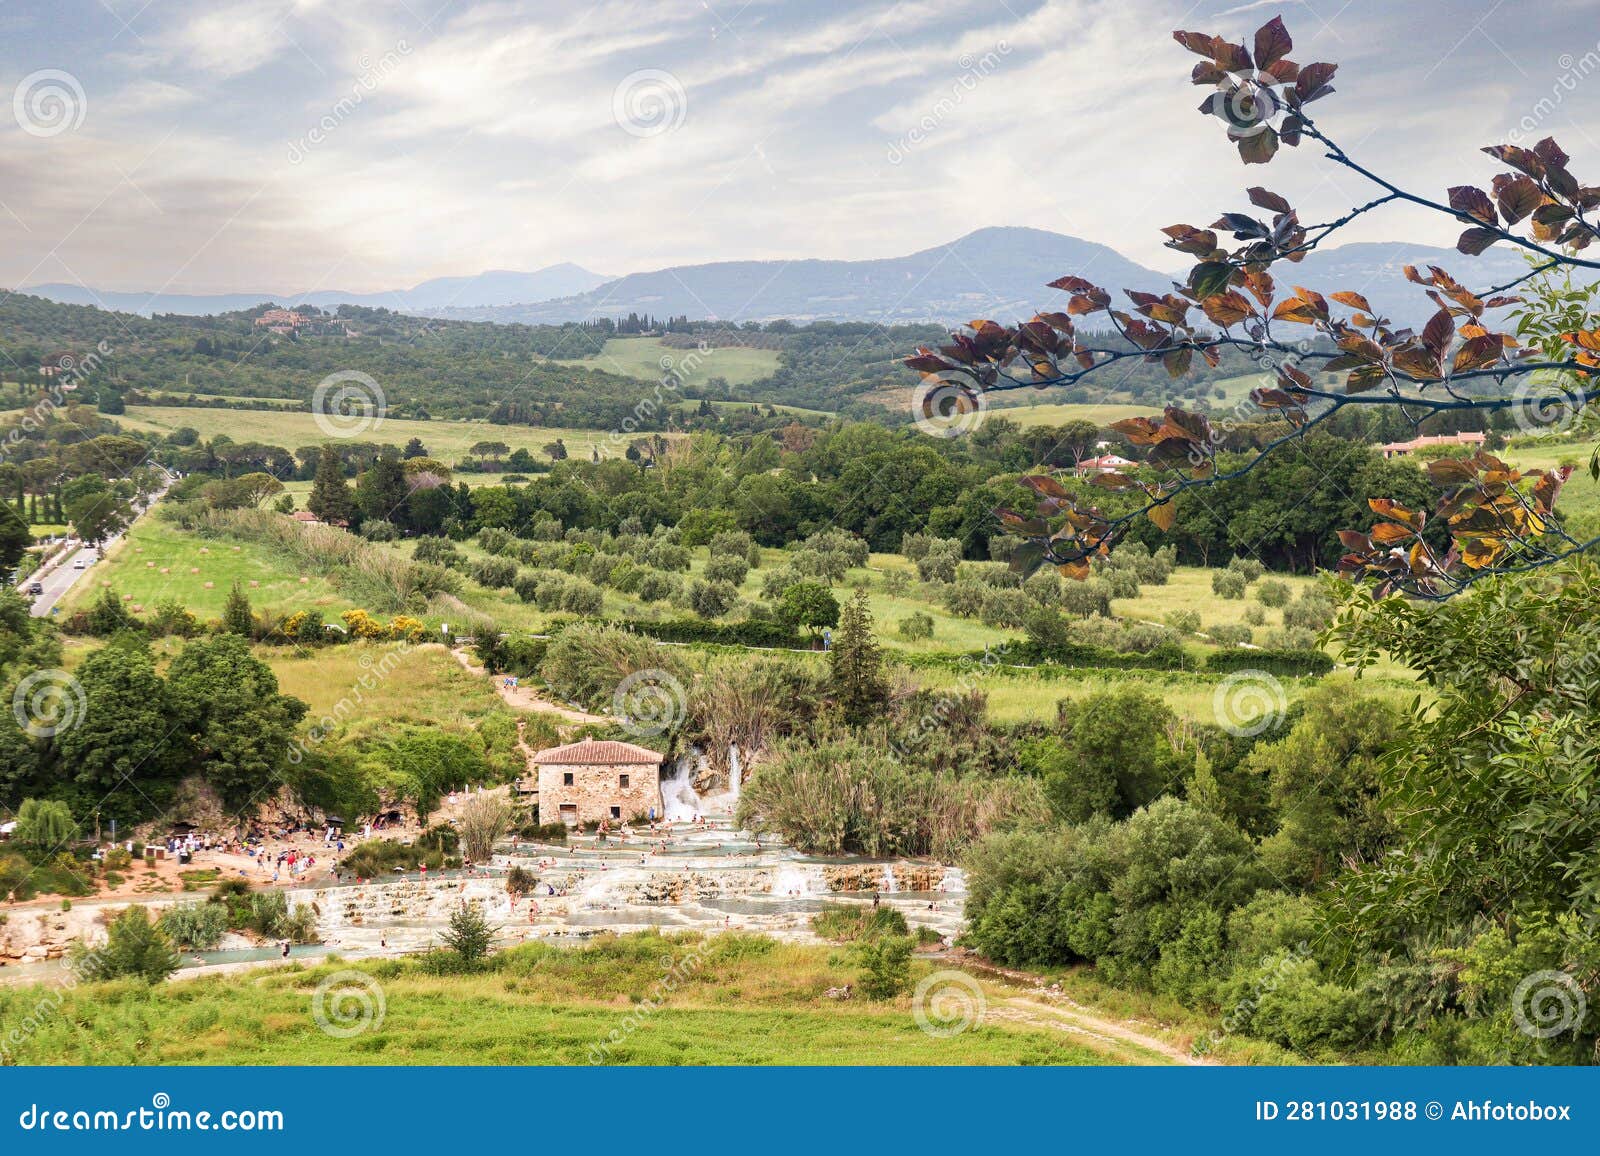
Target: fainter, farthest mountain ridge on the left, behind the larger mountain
{"x":498,"y":287}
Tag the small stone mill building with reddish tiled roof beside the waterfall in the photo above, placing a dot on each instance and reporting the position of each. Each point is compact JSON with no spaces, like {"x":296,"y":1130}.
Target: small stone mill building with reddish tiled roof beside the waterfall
{"x":598,"y":781}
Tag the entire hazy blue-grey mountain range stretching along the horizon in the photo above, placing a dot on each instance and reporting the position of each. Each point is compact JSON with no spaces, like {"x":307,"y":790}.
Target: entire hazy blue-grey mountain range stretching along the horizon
{"x":993,"y":273}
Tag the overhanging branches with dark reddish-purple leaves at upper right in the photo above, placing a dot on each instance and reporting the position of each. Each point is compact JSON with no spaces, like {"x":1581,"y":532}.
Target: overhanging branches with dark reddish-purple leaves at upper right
{"x":1494,"y":518}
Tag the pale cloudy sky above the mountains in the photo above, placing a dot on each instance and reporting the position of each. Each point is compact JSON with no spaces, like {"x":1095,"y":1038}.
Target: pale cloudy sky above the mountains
{"x":206,"y":147}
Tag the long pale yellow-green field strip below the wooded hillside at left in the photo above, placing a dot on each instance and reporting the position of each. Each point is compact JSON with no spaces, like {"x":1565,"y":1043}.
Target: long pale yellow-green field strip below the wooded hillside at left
{"x":447,"y":441}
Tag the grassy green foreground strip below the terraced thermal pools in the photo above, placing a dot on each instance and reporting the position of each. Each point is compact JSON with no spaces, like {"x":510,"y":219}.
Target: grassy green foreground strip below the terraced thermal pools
{"x":735,"y":1001}
